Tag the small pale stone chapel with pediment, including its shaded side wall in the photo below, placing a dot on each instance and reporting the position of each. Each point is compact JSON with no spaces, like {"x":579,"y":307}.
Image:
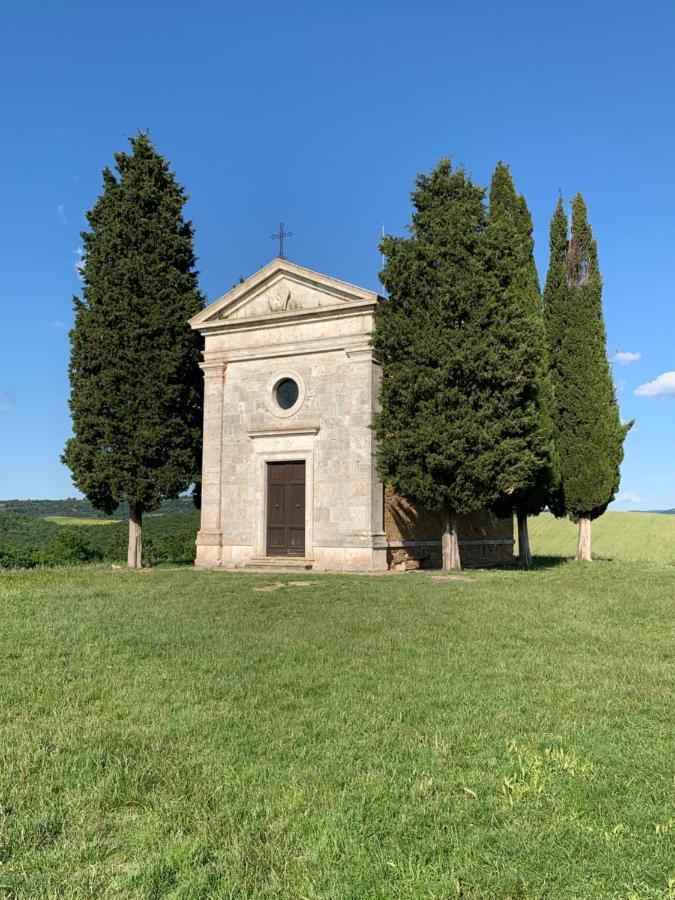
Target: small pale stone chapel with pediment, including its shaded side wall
{"x":288,"y":475}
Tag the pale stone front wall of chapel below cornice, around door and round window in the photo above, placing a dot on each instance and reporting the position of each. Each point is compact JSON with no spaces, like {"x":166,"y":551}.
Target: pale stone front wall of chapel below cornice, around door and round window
{"x":331,"y":432}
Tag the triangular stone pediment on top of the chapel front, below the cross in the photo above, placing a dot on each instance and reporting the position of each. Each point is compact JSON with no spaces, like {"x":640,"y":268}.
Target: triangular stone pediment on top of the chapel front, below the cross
{"x":279,"y":290}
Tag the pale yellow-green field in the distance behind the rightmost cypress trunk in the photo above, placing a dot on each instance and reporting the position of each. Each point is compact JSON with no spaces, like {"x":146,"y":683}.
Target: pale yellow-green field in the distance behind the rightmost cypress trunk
{"x":627,"y":536}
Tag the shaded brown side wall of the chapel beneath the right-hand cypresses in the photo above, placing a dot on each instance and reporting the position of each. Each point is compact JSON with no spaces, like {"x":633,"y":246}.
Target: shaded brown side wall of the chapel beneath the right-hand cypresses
{"x":414,"y":534}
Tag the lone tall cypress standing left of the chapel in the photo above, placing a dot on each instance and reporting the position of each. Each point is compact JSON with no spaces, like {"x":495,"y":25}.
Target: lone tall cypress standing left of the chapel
{"x":135,"y":381}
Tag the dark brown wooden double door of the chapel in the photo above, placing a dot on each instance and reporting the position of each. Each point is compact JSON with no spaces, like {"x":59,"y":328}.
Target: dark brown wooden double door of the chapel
{"x":286,"y":509}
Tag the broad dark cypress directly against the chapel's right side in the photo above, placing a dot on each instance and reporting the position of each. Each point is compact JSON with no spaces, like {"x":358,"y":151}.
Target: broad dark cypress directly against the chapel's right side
{"x":438,"y":433}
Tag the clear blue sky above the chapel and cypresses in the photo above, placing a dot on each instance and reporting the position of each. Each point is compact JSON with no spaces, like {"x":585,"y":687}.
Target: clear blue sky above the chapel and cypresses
{"x":320,"y":115}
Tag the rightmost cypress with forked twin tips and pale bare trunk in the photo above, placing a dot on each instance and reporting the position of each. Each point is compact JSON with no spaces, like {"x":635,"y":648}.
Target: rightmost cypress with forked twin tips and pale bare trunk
{"x":588,"y":431}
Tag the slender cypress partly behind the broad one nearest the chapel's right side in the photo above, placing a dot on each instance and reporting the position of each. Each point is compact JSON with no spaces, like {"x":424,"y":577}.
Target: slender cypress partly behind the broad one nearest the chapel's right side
{"x":530,"y":463}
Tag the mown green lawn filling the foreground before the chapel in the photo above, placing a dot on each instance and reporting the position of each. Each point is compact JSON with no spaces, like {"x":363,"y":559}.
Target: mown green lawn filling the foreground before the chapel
{"x":181,"y":734}
